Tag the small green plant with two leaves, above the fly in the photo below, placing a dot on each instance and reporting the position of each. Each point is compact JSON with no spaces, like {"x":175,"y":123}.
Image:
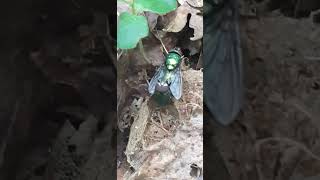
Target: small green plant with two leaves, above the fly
{"x":133,"y":26}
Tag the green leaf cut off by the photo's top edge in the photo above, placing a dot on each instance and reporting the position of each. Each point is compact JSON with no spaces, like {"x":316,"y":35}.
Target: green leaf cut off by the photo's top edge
{"x":156,"y":6}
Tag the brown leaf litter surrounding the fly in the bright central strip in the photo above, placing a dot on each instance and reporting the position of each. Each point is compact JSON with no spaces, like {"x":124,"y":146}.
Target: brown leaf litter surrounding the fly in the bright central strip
{"x":167,"y":142}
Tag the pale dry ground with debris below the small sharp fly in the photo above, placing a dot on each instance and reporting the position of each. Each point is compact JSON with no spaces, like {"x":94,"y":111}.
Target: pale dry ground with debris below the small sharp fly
{"x":163,"y":143}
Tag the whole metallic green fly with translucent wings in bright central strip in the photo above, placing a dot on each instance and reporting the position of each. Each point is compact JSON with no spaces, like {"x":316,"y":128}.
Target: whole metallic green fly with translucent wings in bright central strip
{"x":167,"y":81}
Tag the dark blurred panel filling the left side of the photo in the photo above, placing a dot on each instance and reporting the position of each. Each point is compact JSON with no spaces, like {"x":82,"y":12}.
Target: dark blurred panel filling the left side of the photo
{"x":57,"y":90}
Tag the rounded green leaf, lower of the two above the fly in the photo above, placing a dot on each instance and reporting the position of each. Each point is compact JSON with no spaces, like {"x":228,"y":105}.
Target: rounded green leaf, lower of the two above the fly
{"x":131,"y":29}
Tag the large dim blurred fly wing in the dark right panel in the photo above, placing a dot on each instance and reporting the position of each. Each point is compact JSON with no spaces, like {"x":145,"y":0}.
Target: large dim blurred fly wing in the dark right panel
{"x":222,"y":62}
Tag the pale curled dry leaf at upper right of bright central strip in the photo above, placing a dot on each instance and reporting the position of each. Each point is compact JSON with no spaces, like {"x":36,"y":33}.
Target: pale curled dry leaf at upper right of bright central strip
{"x":178,"y":20}
